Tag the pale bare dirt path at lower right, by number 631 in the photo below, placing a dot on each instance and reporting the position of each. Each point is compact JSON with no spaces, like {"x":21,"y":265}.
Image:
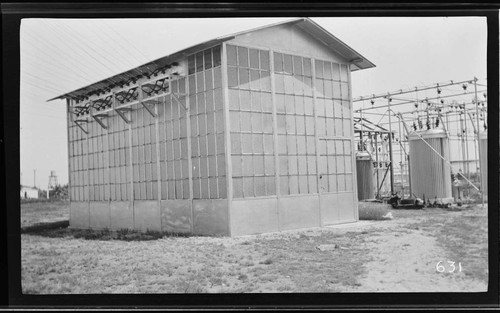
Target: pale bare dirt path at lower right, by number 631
{"x":404,"y":259}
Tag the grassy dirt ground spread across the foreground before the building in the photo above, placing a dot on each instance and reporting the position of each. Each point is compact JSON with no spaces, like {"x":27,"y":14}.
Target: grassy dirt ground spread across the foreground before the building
{"x":398,"y":255}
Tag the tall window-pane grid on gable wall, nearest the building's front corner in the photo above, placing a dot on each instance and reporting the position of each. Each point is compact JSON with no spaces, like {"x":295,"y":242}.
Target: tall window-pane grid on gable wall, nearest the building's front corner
{"x":251,"y":122}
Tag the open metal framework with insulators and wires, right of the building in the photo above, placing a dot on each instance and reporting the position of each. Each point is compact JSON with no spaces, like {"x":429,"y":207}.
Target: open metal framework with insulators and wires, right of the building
{"x":459,"y":107}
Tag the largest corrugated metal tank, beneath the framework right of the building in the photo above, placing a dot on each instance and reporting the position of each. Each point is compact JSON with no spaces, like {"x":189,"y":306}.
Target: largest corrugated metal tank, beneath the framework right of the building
{"x":430,"y":174}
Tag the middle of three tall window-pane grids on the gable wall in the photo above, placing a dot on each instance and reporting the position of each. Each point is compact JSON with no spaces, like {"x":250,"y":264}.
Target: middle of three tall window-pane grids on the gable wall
{"x":295,"y":124}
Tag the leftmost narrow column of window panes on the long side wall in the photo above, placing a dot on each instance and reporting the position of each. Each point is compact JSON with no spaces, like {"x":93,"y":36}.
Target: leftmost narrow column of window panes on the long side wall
{"x":78,"y":164}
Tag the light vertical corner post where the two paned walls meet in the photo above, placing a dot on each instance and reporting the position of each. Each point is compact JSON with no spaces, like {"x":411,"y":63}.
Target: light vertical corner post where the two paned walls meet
{"x":227,"y":124}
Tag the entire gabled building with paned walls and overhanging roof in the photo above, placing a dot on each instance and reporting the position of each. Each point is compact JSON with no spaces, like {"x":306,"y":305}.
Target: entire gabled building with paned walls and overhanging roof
{"x":247,"y":133}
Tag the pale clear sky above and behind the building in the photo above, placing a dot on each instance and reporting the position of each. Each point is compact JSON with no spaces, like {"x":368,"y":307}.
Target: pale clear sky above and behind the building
{"x":61,"y":55}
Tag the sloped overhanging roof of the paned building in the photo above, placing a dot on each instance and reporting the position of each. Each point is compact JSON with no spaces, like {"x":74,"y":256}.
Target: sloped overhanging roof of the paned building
{"x":333,"y":43}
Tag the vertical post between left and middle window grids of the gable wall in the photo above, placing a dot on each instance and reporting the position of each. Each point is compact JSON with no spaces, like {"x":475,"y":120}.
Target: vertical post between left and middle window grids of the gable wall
{"x":275,"y":134}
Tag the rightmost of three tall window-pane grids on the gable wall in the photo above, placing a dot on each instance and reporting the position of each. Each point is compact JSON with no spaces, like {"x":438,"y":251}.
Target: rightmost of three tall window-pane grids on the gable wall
{"x":334,"y":126}
